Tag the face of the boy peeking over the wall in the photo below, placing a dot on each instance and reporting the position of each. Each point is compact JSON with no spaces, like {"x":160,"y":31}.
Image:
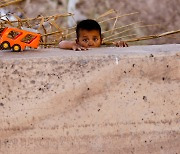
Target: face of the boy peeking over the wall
{"x":89,"y":39}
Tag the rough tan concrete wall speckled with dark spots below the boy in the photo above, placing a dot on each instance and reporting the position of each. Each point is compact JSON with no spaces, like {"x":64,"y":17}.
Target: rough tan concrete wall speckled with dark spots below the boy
{"x":105,"y":100}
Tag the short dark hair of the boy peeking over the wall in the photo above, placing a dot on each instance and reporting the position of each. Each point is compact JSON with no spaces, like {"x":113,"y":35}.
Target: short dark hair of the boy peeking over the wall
{"x":89,"y":25}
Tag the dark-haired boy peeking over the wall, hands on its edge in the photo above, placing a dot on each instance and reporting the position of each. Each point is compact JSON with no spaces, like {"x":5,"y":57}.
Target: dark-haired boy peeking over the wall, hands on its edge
{"x":88,"y":33}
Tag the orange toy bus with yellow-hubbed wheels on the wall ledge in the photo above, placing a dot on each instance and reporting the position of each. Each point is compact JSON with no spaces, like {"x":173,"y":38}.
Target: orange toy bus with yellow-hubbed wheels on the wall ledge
{"x":18,"y":39}
